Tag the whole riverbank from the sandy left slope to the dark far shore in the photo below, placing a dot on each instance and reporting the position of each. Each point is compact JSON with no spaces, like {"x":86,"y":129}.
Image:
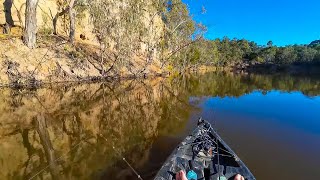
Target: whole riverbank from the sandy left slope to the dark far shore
{"x":55,"y":60}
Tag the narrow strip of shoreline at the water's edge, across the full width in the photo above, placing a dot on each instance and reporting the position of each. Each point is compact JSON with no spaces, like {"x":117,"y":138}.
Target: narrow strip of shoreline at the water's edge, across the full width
{"x":261,"y":70}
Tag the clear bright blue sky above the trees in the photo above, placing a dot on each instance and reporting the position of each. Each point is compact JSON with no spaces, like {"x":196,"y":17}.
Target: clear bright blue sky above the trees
{"x":285,"y":22}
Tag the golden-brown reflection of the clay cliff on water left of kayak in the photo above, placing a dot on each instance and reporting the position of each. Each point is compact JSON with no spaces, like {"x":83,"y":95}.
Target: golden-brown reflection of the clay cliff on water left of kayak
{"x":39,"y":126}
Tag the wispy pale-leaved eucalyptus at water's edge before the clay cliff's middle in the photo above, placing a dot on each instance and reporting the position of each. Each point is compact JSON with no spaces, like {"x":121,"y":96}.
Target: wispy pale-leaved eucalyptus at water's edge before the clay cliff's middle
{"x":118,"y":27}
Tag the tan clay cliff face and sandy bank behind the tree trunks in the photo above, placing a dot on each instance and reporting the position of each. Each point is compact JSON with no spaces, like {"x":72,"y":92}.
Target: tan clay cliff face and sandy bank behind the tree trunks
{"x":54,"y":60}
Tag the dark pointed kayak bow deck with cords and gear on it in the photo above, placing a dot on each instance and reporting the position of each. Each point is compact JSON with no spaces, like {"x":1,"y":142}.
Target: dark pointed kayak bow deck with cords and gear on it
{"x":214,"y":160}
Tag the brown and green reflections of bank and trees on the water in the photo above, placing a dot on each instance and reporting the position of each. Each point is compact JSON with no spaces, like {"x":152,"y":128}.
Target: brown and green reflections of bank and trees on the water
{"x":55,"y":132}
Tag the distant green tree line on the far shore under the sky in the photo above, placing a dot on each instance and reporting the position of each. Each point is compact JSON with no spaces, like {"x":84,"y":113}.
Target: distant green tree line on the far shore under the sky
{"x":228,"y":52}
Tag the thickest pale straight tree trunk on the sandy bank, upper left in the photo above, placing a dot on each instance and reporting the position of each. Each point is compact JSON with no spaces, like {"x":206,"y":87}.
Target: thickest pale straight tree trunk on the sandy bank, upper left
{"x":30,"y":31}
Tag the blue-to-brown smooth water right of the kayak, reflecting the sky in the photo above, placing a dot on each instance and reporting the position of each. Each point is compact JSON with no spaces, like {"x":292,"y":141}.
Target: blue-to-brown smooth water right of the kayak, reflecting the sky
{"x":277,"y":134}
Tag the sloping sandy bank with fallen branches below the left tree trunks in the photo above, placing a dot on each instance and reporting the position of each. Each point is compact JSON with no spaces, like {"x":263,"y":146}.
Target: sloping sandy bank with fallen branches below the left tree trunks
{"x":55,"y":60}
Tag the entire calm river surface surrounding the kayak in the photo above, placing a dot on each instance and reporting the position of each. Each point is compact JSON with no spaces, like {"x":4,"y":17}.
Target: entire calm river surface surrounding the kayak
{"x":271,"y":122}
